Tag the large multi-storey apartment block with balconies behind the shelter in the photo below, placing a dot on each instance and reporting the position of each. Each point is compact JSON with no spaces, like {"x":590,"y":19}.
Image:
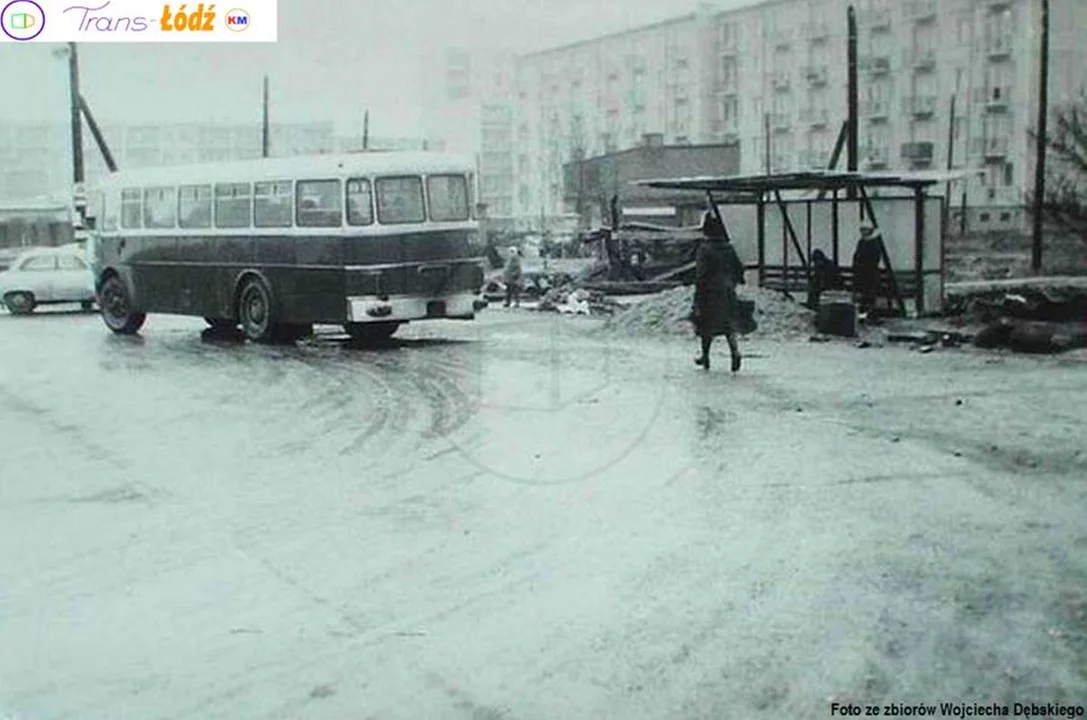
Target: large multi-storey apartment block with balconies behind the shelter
{"x":771,"y":78}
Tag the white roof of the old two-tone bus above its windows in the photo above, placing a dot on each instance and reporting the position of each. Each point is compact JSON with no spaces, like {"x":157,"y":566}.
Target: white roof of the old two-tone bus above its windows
{"x":302,"y":168}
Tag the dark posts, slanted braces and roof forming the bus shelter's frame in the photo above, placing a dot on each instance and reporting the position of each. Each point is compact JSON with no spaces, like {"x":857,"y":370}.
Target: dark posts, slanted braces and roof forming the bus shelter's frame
{"x":764,"y":190}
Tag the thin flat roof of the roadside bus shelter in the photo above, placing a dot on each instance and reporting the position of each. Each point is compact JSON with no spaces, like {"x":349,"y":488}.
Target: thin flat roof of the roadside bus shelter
{"x":806,"y":181}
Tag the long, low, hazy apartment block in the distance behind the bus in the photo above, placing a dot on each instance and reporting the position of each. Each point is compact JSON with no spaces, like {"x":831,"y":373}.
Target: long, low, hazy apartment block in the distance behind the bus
{"x":36,"y":159}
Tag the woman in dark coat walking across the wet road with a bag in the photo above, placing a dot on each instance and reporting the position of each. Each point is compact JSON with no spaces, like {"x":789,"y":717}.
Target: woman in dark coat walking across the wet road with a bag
{"x":717,"y":307}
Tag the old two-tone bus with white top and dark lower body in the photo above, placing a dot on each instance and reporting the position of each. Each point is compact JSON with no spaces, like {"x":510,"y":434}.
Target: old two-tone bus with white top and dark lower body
{"x":366,"y":241}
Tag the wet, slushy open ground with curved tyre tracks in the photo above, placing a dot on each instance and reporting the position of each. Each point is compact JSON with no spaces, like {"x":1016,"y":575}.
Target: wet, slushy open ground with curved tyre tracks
{"x":527,"y":518}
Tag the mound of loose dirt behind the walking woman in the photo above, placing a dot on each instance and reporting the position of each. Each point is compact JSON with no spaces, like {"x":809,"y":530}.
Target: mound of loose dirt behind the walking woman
{"x":667,"y":315}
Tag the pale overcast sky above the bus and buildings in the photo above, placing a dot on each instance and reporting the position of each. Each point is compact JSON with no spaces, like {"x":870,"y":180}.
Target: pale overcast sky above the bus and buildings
{"x":334,"y":59}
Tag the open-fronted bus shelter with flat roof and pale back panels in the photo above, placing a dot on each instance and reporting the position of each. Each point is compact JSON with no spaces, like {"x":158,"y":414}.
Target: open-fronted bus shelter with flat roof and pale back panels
{"x":777,"y":222}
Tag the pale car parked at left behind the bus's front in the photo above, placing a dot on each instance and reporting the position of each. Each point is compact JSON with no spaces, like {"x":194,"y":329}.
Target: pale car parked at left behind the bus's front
{"x":46,"y":277}
